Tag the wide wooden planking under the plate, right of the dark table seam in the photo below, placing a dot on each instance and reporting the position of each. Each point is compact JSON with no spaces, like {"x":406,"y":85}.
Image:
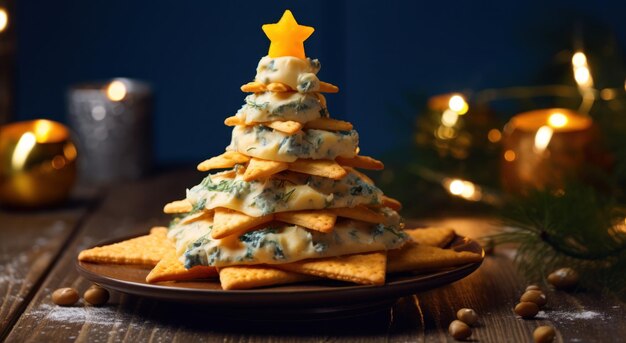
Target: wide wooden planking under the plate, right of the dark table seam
{"x":492,"y":291}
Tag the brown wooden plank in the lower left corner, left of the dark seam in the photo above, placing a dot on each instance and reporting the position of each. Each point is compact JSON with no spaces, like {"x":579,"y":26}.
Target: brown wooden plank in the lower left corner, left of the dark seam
{"x":29,"y":242}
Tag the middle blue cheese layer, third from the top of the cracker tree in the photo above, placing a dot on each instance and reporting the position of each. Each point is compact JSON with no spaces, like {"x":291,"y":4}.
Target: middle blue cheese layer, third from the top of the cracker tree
{"x":263,"y":142}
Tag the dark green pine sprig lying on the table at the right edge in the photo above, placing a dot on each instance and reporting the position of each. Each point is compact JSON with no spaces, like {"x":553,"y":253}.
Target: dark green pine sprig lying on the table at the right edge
{"x":577,"y":228}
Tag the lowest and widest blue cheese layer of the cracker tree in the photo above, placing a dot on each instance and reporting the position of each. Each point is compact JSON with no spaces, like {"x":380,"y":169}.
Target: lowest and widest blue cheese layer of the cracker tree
{"x":284,"y":243}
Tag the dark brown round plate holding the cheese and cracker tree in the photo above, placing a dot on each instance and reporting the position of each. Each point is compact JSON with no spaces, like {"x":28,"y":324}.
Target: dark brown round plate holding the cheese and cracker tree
{"x":397,"y":288}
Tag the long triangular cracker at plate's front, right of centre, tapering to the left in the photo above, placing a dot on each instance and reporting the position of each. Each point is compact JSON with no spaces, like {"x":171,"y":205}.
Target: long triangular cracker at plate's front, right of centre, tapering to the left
{"x":366,"y":269}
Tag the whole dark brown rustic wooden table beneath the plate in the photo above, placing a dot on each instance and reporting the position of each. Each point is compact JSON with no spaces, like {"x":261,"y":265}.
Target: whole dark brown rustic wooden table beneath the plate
{"x":38,"y":250}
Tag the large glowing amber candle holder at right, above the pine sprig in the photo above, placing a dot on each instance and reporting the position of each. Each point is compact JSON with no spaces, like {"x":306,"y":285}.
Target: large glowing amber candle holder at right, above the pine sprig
{"x":543,"y":148}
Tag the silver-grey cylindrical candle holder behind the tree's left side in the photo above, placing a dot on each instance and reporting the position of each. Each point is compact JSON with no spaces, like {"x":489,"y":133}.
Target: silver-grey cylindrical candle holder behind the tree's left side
{"x":113,"y":124}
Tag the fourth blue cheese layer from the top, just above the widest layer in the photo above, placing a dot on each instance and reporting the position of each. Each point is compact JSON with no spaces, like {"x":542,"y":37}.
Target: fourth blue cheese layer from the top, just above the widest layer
{"x":286,"y":191}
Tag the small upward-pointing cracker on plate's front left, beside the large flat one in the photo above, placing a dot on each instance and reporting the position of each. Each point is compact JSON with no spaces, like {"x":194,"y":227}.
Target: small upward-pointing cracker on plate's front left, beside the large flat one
{"x":170,"y":268}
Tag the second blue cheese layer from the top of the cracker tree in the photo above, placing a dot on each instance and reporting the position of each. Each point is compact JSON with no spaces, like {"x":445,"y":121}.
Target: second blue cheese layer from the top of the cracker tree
{"x":270,"y":106}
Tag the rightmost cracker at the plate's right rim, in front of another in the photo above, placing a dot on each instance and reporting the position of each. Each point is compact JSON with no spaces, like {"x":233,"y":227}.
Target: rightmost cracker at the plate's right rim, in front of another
{"x":417,"y":258}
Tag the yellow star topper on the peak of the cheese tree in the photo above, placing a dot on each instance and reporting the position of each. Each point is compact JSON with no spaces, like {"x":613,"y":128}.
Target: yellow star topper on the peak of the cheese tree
{"x":287,"y":37}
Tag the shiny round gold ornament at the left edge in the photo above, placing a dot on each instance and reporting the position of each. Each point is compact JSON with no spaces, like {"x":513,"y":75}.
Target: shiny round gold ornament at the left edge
{"x":37,"y":163}
